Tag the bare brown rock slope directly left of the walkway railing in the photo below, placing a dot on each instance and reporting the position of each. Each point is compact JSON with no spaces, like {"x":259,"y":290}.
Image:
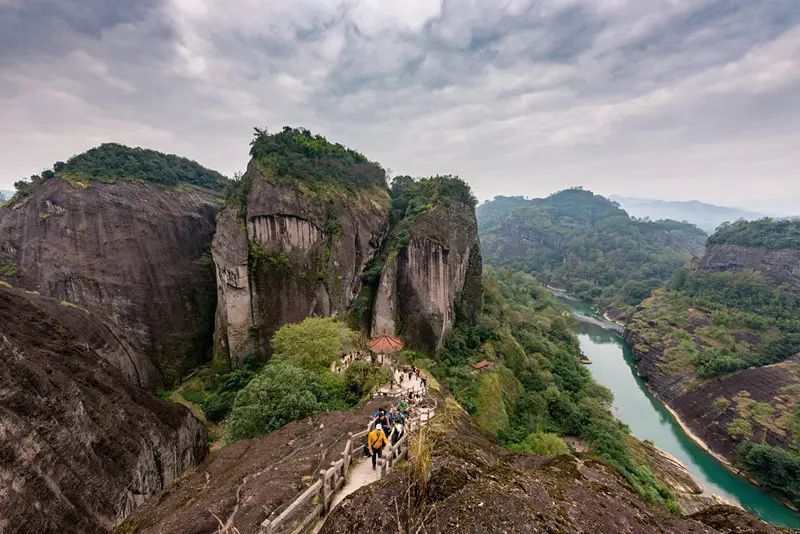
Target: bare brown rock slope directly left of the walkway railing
{"x":260,"y":475}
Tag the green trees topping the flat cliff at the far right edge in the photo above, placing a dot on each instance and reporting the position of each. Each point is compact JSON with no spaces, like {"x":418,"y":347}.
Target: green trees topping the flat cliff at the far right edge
{"x":763,"y":233}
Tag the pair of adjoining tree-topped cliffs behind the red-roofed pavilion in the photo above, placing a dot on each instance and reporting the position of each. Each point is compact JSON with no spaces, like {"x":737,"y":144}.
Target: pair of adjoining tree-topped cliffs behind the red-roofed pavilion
{"x":314,"y":231}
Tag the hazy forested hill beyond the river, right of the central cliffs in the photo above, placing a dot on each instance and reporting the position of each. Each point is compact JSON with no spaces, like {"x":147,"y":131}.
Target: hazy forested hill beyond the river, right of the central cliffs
{"x":586,"y":244}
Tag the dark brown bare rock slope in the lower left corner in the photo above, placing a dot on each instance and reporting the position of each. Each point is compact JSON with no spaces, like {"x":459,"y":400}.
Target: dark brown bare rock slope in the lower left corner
{"x":81,"y":447}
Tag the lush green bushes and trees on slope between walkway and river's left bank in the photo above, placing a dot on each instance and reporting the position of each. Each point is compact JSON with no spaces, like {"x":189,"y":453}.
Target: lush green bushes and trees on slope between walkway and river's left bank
{"x":536,"y":389}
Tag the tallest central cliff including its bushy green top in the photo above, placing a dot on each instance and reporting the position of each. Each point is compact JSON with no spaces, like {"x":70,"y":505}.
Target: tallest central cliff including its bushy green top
{"x":300,"y":249}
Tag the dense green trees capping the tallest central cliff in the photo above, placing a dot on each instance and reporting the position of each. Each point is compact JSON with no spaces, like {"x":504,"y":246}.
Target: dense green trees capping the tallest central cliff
{"x":297,"y":154}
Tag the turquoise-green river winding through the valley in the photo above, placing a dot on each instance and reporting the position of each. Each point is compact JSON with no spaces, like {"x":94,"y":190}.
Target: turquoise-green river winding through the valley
{"x":613,"y":366}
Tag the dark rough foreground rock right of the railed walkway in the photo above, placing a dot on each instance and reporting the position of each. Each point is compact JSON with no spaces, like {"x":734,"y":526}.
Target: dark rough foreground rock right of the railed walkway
{"x":473,"y":485}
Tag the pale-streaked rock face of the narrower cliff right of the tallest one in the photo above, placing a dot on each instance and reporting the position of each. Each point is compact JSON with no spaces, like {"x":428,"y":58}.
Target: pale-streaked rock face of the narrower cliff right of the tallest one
{"x":432,"y":278}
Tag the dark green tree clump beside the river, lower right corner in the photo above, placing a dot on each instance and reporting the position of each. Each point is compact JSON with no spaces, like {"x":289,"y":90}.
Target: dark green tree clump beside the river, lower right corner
{"x":778,"y":468}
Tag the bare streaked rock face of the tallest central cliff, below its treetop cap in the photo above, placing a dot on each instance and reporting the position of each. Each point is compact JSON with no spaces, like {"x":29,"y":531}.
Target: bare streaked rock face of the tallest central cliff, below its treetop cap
{"x":304,"y":255}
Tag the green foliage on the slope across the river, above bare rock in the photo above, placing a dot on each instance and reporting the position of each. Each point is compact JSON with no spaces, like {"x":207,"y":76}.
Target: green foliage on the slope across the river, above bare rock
{"x":715,"y":323}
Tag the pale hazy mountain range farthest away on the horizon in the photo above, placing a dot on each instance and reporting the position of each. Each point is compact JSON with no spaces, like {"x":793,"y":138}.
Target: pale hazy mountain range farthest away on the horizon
{"x":706,"y":216}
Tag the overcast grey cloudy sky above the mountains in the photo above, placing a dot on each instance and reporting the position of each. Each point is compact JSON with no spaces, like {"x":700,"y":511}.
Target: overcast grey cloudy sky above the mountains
{"x":671,"y":99}
